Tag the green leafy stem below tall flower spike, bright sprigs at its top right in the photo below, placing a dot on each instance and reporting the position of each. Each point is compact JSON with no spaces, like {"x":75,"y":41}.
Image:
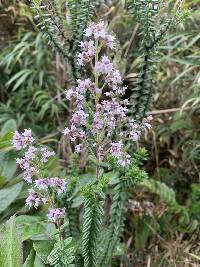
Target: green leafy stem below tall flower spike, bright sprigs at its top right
{"x":112,"y":234}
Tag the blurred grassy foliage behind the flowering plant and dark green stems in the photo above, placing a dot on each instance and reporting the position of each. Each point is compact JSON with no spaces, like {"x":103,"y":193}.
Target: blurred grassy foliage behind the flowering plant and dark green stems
{"x":162,"y":223}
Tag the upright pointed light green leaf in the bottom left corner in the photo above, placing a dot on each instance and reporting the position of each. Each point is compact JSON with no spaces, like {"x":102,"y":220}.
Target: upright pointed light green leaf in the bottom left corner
{"x":10,"y":246}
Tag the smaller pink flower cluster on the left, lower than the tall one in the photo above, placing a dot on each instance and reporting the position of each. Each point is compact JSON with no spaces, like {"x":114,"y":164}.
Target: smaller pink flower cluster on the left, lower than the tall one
{"x":32,"y":165}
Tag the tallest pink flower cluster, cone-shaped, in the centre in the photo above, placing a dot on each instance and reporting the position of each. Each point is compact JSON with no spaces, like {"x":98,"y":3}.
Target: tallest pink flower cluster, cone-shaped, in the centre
{"x":102,"y":121}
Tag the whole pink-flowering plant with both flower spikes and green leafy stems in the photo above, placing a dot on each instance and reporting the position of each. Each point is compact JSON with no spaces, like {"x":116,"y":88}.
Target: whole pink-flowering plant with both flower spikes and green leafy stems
{"x":100,"y":128}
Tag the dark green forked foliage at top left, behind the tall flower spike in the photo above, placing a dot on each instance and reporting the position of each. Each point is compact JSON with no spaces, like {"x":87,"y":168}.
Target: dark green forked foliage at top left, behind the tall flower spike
{"x":64,"y":37}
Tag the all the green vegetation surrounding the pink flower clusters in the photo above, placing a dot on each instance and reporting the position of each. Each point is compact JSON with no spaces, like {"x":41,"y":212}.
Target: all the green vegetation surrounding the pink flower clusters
{"x":151,"y":221}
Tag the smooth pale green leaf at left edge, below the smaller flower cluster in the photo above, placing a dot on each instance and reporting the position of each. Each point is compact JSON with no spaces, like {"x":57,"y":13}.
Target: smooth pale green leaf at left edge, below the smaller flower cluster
{"x":8,"y":195}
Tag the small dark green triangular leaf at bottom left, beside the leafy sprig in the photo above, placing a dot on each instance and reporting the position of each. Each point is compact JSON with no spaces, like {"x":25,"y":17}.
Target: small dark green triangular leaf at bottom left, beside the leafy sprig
{"x":43,"y":249}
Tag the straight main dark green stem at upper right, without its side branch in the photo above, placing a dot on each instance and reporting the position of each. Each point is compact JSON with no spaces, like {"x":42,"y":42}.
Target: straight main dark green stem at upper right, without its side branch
{"x":146,"y":12}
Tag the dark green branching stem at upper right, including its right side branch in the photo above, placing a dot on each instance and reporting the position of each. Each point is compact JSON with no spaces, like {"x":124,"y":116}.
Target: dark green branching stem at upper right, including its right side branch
{"x":153,"y":30}
